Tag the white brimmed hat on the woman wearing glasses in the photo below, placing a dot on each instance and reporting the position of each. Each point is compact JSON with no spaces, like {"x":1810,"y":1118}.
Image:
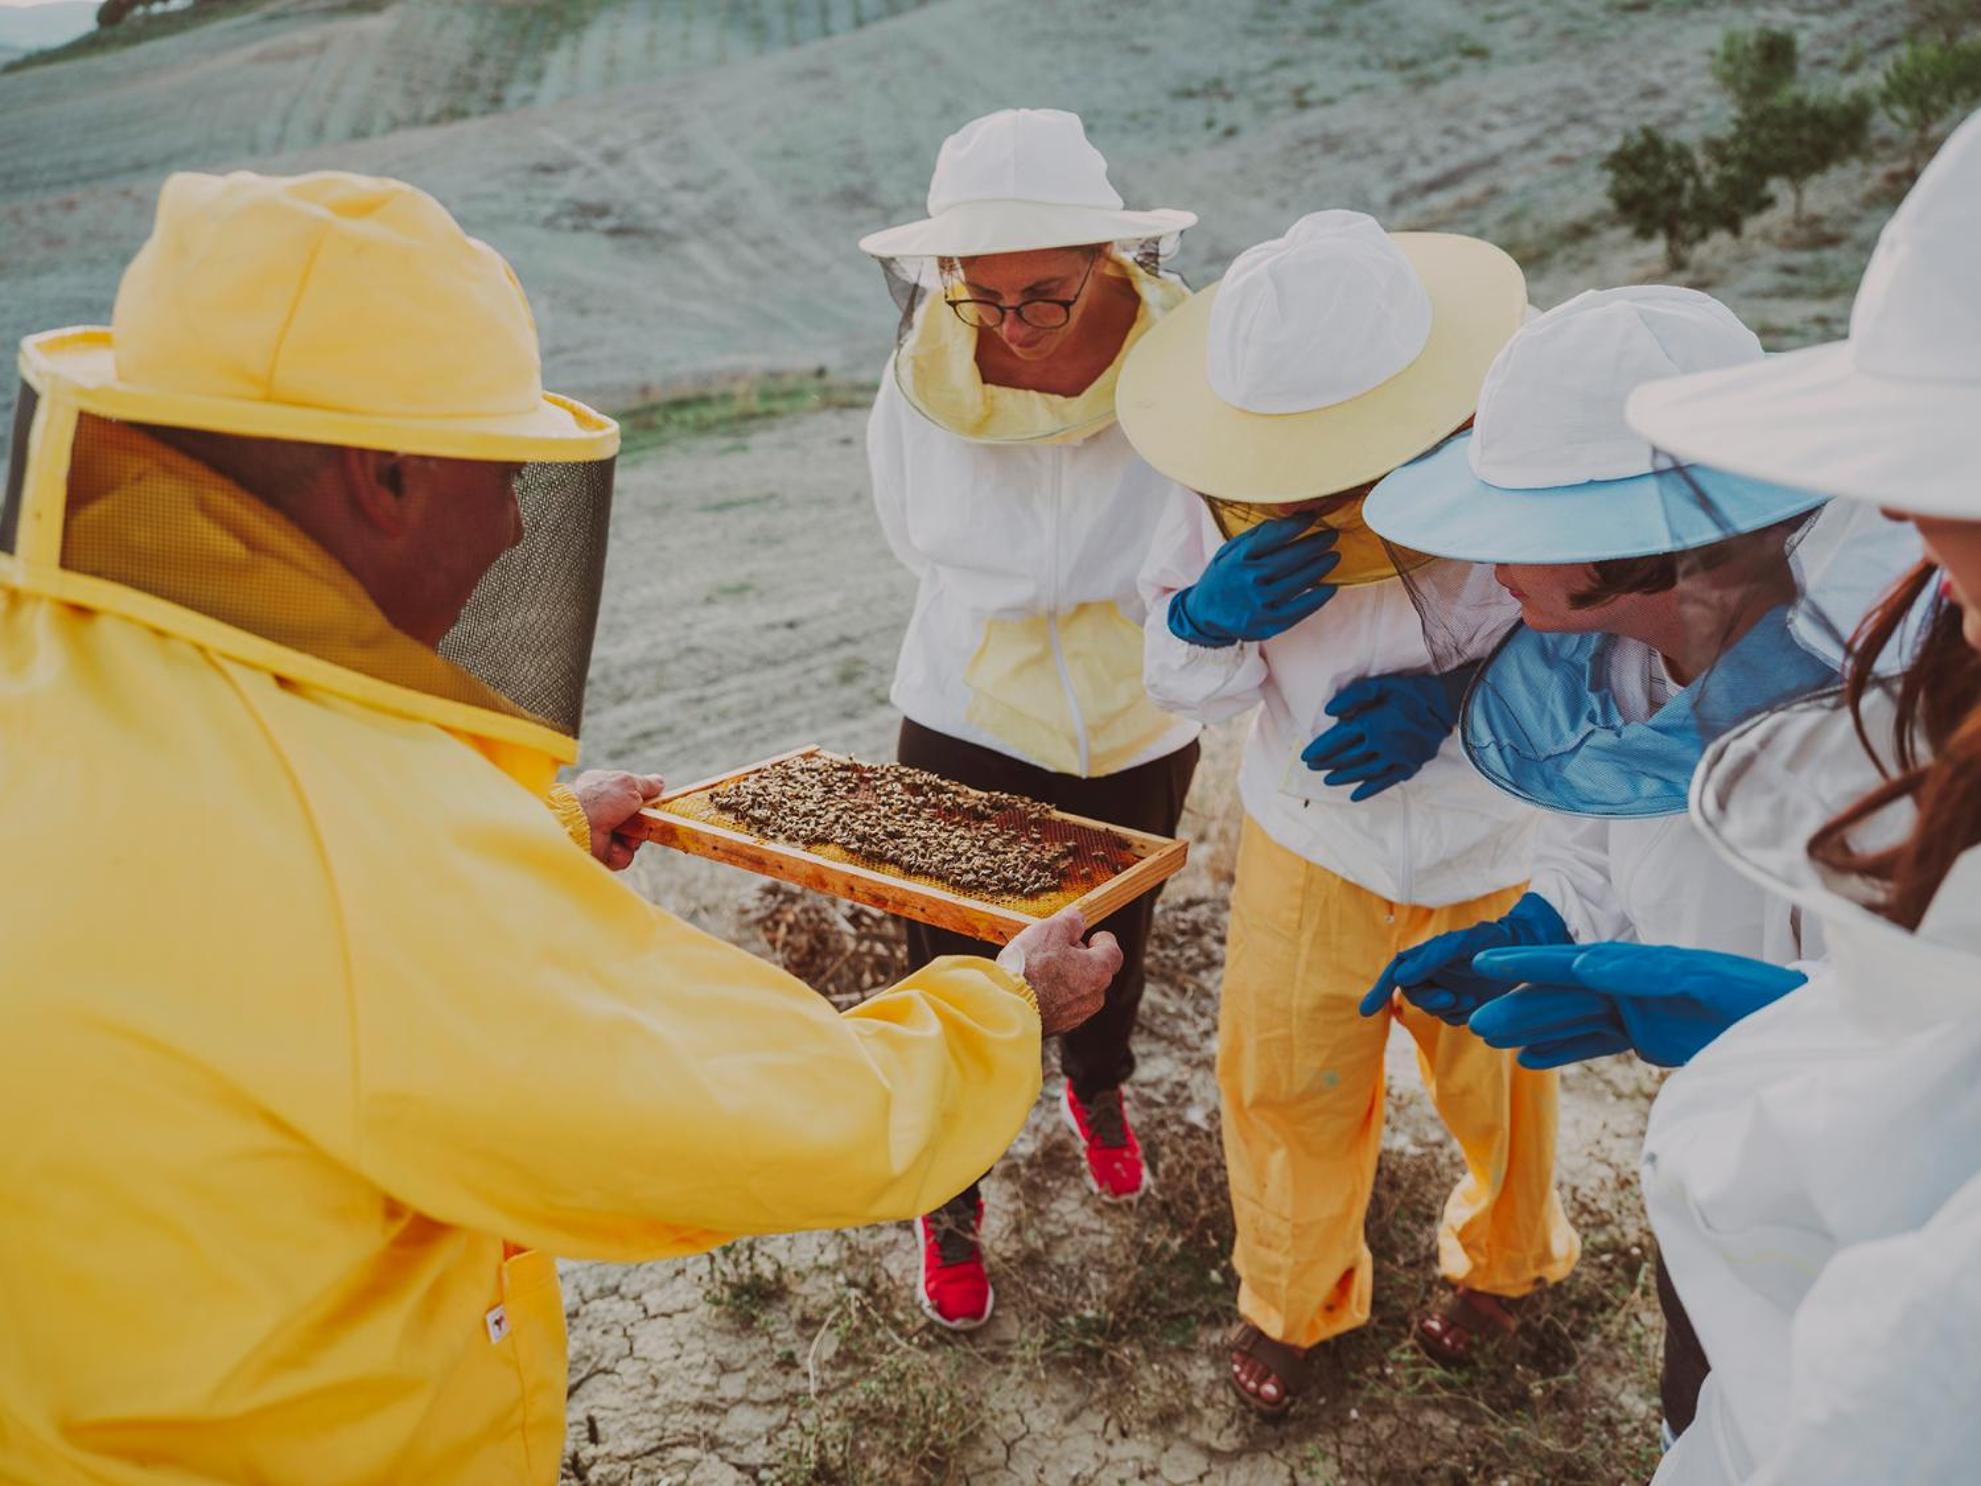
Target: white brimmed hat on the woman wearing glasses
{"x":1021,"y":179}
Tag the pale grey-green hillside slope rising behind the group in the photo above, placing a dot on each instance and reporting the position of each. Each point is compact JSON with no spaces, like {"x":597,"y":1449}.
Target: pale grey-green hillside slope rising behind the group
{"x":688,"y":211}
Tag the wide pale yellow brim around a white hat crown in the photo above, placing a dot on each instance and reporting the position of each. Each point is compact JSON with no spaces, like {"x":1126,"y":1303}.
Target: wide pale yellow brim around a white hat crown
{"x":1186,"y":431}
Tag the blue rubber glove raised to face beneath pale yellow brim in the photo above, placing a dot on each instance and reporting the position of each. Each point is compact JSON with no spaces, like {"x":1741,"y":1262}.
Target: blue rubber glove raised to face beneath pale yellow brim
{"x":1263,"y":582}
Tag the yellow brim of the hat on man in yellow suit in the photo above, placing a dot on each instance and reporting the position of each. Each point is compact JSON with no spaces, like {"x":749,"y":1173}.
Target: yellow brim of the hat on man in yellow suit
{"x":558,"y":431}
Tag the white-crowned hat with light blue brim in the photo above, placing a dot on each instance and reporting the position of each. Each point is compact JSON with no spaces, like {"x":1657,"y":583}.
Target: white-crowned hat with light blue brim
{"x":1552,"y":473}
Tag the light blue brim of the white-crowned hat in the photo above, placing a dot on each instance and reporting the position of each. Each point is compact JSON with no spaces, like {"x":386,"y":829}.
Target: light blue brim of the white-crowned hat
{"x":1439,"y":506}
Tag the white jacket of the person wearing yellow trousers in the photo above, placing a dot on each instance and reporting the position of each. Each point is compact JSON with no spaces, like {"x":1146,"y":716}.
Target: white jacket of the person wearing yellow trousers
{"x":1439,"y":839}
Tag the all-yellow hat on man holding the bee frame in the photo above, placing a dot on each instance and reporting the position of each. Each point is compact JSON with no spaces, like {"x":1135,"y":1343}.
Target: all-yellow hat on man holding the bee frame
{"x":324,"y":308}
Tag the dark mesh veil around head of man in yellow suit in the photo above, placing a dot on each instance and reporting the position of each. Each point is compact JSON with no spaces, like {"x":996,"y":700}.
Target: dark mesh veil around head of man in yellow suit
{"x":249,"y":534}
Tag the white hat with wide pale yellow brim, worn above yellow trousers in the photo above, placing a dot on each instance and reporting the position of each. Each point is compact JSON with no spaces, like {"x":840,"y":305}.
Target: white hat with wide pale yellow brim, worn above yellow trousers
{"x":1322,"y":362}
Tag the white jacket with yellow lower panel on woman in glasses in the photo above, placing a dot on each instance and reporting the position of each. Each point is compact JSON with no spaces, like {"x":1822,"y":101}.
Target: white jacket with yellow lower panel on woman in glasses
{"x":1027,"y":625}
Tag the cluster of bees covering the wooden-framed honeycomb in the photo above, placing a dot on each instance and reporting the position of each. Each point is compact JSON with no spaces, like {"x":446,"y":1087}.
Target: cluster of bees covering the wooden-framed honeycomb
{"x":974,"y":841}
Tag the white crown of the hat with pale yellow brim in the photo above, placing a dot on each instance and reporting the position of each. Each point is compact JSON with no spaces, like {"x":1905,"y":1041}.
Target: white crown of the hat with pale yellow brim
{"x":1314,"y":318}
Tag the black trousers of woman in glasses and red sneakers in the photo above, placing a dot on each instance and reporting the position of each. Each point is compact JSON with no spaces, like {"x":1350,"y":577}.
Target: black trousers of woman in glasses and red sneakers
{"x":1148,"y":797}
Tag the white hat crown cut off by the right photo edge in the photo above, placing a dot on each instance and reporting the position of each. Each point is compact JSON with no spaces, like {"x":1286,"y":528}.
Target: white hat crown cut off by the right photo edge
{"x":1919,"y":310}
